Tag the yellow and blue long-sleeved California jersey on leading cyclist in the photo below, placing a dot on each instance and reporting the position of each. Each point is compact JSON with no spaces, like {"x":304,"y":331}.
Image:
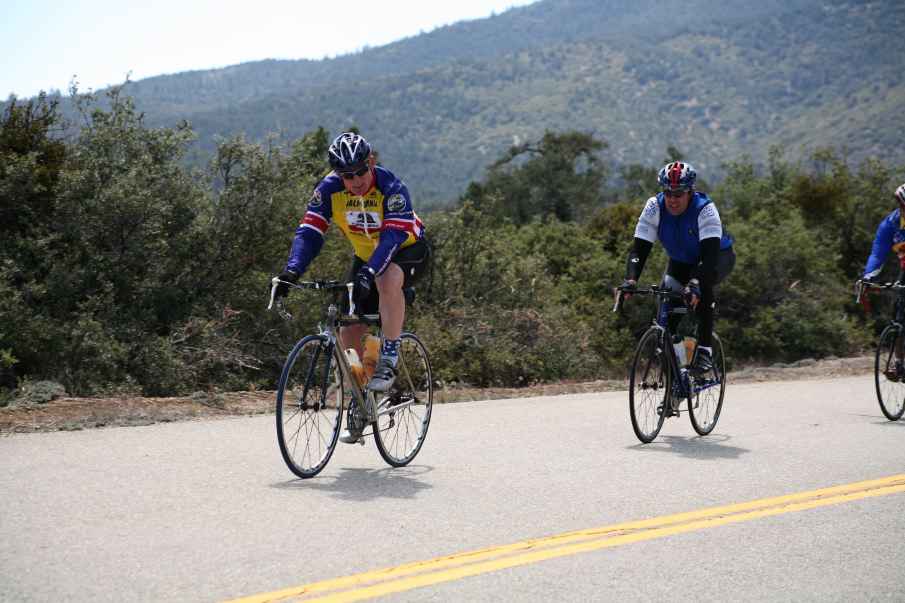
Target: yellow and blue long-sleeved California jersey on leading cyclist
{"x":377,"y":224}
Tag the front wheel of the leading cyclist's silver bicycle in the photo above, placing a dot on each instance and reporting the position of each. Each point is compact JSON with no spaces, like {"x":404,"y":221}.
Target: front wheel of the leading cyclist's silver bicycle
{"x":309,"y":406}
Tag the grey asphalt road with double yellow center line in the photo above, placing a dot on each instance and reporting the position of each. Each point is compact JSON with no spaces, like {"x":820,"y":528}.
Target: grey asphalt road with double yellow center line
{"x":207,"y":511}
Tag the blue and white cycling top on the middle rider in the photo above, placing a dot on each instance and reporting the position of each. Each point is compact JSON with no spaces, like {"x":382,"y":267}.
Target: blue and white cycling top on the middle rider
{"x":681,"y":235}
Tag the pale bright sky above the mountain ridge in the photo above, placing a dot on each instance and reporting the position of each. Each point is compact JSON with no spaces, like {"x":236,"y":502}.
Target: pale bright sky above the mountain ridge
{"x":46,"y":44}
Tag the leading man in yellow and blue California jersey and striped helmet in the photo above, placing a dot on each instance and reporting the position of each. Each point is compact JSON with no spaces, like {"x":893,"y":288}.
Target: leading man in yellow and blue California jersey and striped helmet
{"x":373,"y":209}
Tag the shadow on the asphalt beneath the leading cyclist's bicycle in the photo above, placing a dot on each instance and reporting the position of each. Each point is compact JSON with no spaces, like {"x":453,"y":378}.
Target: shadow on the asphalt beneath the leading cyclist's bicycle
{"x":363,"y":485}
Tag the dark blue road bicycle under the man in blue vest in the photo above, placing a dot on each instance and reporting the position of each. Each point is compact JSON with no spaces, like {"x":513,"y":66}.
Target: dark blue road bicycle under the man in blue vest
{"x":659,"y":382}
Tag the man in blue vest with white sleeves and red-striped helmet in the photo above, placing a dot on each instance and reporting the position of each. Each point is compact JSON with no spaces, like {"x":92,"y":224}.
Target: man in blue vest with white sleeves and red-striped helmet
{"x":700,"y":251}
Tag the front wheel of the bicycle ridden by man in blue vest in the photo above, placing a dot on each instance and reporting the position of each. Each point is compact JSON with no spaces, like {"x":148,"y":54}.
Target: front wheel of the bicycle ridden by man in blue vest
{"x":648,"y":386}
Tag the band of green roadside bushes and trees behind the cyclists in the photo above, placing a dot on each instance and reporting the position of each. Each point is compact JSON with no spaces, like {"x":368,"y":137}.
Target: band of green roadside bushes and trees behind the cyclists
{"x":124,"y":272}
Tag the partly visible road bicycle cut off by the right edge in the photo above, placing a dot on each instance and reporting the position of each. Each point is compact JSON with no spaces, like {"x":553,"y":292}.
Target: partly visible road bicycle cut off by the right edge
{"x":889,"y":367}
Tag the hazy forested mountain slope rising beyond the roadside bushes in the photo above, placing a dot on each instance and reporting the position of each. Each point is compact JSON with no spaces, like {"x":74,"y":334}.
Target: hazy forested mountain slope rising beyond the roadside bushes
{"x":721,"y":79}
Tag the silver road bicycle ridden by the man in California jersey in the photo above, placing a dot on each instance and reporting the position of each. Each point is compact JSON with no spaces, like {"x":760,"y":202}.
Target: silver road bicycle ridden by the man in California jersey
{"x":318,"y":386}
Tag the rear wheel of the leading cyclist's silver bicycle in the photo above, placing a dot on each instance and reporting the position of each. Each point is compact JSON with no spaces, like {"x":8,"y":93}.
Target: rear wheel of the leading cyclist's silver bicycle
{"x":404,"y":413}
